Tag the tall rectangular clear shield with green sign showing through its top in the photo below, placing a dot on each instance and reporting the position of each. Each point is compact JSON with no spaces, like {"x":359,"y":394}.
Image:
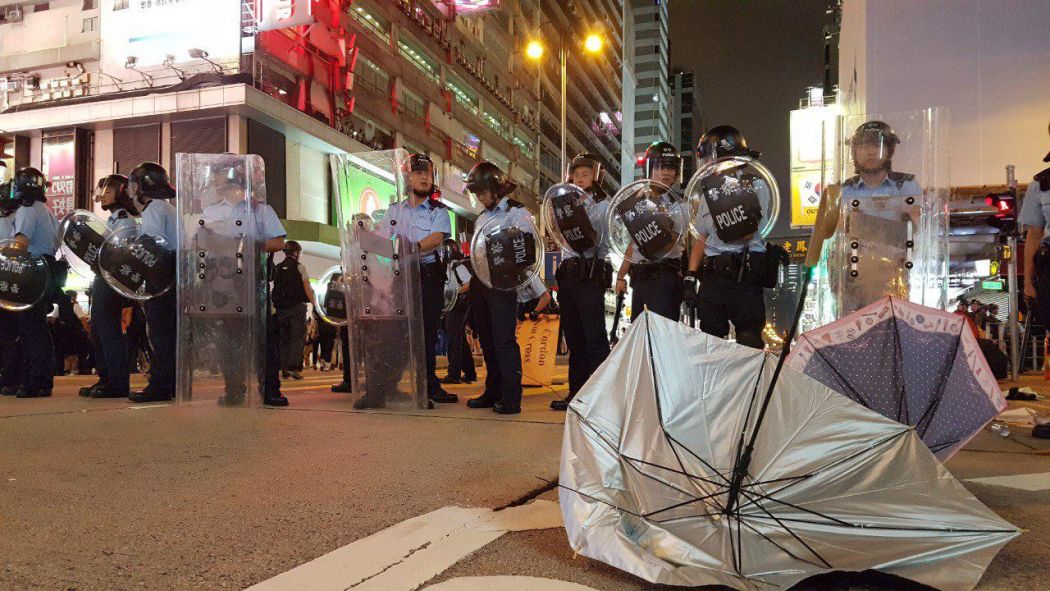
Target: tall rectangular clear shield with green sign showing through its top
{"x":384,"y":306}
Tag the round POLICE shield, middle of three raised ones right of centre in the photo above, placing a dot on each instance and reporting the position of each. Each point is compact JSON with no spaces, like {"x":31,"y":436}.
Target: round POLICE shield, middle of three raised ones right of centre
{"x":648,"y":219}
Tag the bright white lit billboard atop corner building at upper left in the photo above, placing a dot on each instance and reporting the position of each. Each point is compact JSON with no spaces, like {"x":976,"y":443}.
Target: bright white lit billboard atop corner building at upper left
{"x":150,"y":31}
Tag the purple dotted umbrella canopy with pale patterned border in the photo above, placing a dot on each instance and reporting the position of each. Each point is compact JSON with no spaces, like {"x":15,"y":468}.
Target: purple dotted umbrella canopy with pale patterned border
{"x":917,"y":366}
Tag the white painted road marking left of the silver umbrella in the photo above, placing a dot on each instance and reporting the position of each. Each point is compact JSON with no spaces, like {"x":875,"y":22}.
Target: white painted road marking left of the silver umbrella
{"x":405,"y":557}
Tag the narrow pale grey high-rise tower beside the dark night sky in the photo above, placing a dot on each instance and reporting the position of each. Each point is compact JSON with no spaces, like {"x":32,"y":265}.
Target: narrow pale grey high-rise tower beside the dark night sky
{"x":653,"y":95}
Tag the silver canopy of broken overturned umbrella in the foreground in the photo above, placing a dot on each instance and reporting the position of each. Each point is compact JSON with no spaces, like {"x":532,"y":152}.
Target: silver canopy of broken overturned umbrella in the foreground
{"x":650,"y":448}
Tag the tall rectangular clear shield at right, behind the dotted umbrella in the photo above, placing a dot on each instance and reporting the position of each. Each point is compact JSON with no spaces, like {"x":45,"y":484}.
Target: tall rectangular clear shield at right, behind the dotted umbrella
{"x":891,"y":237}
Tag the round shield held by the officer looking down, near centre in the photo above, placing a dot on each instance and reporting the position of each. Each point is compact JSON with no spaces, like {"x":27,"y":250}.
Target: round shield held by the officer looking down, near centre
{"x":506,"y":252}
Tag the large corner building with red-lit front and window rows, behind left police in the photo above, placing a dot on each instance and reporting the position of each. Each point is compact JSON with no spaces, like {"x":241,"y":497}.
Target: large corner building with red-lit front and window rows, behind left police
{"x":93,"y":88}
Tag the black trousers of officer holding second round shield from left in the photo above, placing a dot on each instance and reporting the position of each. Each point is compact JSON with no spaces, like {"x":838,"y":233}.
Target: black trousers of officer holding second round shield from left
{"x":108,"y":340}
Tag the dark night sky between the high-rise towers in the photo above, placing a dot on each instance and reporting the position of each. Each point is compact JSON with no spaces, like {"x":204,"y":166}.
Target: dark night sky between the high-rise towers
{"x":753,"y":59}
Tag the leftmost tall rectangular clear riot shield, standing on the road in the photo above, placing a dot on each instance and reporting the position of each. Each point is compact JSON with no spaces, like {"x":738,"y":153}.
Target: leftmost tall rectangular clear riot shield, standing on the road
{"x":222,"y":281}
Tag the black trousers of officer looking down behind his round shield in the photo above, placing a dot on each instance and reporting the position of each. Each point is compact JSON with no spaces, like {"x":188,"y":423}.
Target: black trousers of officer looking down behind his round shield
{"x":496,"y":320}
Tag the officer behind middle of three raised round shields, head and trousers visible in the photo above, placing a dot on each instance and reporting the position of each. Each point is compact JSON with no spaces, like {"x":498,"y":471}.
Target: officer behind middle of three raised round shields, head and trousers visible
{"x":658,"y":286}
